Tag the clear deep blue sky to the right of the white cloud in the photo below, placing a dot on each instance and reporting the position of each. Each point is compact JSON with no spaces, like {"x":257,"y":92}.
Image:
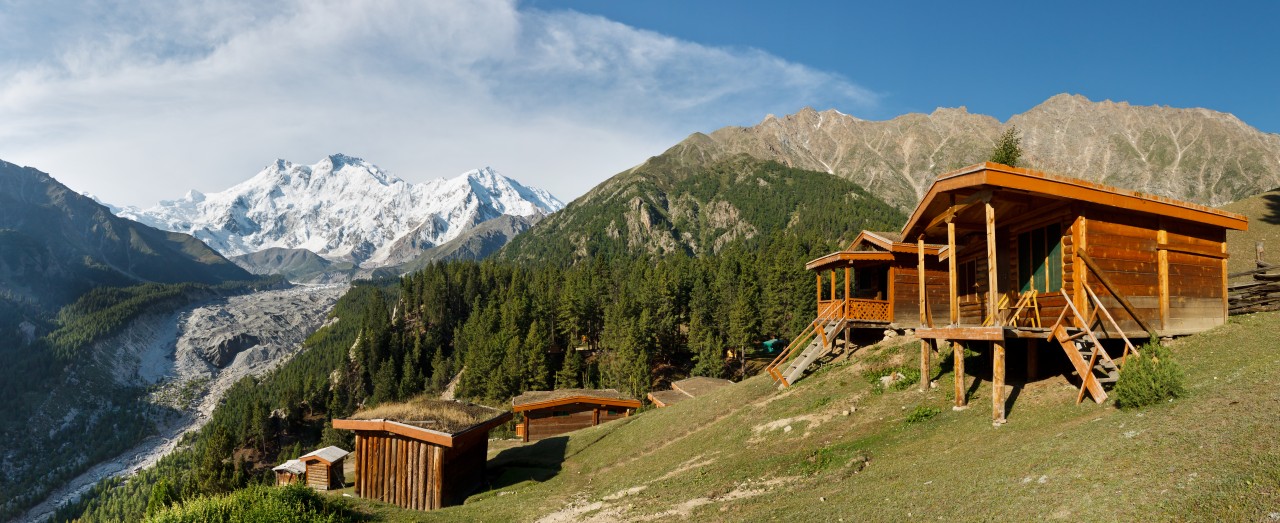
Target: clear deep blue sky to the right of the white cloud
{"x":1000,"y":58}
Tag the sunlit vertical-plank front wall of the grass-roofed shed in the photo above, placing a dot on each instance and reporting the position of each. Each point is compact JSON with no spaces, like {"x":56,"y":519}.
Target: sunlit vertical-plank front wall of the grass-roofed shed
{"x":399,"y":470}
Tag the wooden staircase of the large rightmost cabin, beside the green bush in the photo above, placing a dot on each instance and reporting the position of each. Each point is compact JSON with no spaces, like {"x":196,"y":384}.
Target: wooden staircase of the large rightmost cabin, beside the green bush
{"x":1091,"y":361}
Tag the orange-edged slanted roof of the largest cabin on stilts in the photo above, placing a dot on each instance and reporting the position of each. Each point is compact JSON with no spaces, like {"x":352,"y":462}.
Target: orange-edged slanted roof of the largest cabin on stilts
{"x":996,"y":177}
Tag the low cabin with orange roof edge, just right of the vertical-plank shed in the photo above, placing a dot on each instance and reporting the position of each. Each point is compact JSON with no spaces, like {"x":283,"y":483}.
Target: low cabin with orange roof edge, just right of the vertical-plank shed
{"x":554,"y":412}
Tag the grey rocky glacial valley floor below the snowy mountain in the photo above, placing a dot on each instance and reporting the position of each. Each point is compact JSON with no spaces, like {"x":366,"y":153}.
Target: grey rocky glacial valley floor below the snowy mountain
{"x":170,"y":355}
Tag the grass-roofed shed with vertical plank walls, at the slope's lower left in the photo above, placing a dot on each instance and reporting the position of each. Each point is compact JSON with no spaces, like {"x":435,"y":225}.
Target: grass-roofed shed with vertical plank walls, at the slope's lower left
{"x":422,"y":455}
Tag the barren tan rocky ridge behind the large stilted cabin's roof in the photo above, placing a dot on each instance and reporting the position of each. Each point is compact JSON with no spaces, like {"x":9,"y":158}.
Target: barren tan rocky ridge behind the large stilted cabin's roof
{"x":1190,"y":154}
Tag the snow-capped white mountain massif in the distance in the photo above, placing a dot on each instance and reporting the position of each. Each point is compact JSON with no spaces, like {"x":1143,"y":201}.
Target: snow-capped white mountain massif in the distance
{"x":344,"y":209}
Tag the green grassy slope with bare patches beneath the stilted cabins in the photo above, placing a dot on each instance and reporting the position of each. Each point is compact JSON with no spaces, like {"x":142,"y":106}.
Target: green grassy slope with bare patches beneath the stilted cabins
{"x":1214,"y":456}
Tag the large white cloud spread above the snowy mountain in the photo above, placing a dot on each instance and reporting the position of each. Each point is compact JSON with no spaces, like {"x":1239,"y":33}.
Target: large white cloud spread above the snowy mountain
{"x":140,"y":102}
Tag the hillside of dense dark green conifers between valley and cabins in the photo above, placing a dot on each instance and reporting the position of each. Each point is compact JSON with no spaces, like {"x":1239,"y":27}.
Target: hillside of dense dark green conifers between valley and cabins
{"x":643,"y":319}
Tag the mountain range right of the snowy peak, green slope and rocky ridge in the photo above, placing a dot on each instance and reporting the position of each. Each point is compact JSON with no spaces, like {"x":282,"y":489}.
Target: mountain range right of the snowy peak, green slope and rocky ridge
{"x":664,"y":207}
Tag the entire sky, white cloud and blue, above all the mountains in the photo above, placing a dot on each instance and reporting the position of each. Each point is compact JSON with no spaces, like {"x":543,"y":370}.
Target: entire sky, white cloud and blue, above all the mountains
{"x":143,"y":100}
